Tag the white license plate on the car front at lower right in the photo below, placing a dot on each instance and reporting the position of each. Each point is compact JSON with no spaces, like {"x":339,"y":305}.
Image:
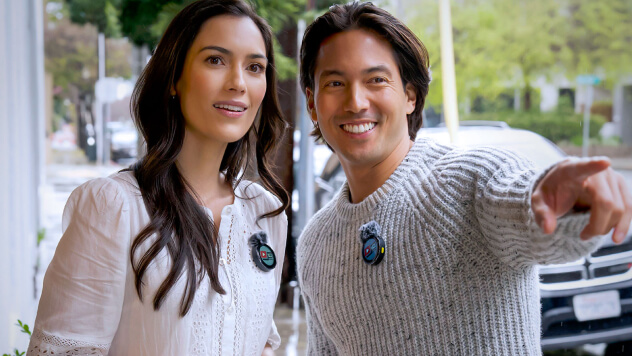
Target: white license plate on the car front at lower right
{"x":599,"y":305}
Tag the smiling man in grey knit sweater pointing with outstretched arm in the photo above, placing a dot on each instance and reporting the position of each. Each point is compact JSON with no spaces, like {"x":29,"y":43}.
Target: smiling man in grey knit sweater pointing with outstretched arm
{"x":428,"y":249}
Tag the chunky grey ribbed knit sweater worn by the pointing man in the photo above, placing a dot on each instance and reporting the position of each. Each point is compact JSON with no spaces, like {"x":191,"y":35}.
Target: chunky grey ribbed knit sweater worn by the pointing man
{"x":459,"y":276}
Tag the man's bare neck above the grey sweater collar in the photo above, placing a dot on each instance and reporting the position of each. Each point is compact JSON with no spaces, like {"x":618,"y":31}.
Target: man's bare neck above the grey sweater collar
{"x":363,"y":180}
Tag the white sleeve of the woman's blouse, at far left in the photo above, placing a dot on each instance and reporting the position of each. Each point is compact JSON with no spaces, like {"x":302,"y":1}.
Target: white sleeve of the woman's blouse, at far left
{"x":84,"y":286}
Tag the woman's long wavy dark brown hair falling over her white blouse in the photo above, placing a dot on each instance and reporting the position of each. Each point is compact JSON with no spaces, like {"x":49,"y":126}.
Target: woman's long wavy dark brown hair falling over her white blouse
{"x":176,"y":217}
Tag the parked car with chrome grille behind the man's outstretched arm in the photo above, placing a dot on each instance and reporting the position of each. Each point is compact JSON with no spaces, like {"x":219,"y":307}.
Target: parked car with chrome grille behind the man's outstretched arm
{"x":584,"y":302}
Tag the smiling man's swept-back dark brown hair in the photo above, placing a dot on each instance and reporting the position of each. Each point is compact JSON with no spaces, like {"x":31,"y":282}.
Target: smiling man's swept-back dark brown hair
{"x":409,"y":52}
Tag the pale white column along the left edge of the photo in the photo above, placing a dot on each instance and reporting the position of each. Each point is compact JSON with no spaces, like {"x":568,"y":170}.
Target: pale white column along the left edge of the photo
{"x":21,"y":160}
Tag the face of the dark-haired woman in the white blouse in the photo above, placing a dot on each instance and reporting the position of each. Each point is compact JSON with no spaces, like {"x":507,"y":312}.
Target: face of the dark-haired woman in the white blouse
{"x":223,"y":80}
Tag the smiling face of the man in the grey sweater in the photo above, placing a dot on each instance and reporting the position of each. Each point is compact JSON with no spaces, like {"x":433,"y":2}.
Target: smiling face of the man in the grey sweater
{"x":359,"y":100}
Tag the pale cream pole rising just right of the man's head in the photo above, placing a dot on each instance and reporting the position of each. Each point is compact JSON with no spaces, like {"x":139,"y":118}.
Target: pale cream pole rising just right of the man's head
{"x":450,"y":107}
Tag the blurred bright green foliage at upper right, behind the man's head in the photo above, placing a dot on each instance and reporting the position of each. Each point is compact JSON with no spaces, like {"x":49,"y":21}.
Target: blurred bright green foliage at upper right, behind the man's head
{"x":500,"y":44}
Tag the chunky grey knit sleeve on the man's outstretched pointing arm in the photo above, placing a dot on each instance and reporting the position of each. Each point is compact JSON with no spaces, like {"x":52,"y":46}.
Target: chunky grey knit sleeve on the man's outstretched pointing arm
{"x":502,"y":202}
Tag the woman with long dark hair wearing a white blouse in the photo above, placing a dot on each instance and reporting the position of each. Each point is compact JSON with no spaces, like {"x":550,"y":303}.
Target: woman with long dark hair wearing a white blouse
{"x":178,"y":255}
